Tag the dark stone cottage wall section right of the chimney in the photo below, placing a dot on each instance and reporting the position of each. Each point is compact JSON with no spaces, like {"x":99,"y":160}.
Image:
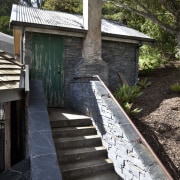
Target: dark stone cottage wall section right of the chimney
{"x":121,"y":58}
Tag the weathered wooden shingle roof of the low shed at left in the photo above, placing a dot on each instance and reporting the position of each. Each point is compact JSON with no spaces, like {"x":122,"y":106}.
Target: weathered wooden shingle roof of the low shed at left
{"x":9,"y":73}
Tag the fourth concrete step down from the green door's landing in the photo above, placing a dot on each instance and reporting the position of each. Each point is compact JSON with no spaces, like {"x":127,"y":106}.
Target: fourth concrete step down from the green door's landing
{"x":79,"y":154}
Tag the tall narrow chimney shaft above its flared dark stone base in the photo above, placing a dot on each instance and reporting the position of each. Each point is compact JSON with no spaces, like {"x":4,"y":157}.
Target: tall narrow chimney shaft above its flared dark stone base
{"x":92,"y":22}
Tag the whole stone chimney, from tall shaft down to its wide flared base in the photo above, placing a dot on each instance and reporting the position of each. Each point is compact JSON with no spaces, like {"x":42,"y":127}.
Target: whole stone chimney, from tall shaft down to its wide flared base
{"x":92,"y":61}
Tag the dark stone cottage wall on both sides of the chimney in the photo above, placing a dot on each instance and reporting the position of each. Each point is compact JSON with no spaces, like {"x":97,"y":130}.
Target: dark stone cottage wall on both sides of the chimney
{"x":120,"y":58}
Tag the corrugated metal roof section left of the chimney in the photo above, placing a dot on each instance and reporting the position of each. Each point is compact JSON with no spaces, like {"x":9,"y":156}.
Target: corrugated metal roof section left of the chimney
{"x":43,"y":17}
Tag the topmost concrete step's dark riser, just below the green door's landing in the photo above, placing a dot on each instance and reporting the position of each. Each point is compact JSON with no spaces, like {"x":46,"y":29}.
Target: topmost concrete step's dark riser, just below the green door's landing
{"x":70,"y":122}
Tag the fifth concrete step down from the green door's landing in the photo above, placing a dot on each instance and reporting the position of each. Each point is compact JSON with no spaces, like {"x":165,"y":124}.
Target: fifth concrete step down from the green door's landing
{"x":85,"y":168}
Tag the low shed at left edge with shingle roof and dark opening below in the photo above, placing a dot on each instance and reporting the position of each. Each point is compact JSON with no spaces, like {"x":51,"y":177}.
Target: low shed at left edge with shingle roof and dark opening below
{"x":12,"y":110}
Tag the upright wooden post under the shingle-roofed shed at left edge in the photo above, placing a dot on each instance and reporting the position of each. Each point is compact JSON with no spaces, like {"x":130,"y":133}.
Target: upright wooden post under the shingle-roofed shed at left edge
{"x":7,"y":111}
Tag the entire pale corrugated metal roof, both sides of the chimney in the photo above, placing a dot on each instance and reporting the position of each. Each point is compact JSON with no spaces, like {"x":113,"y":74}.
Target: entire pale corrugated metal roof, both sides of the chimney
{"x":28,"y":16}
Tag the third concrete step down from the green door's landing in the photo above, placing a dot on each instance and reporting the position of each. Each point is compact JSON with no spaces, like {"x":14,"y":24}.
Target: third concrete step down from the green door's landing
{"x":76,"y":142}
